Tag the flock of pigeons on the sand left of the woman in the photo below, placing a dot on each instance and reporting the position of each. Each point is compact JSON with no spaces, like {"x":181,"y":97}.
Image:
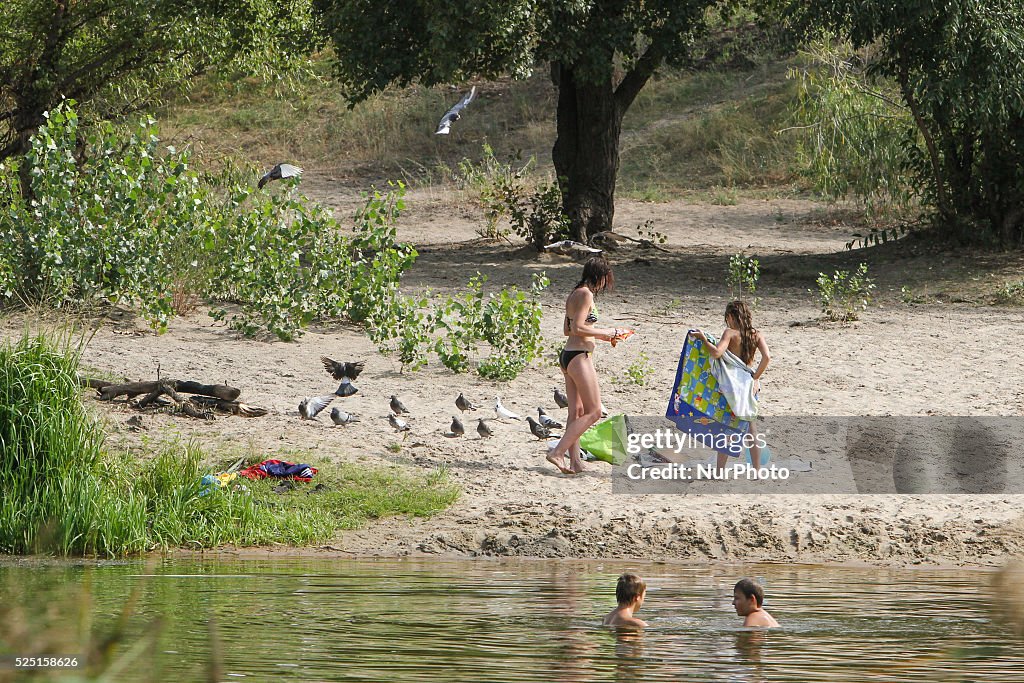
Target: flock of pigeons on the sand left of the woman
{"x":399,"y":414}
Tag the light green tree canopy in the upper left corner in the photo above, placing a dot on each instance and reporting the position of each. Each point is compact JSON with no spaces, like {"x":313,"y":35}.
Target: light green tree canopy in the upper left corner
{"x":114,"y":57}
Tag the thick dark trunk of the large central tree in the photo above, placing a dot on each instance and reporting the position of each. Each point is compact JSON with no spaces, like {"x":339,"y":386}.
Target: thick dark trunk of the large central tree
{"x":586,"y":152}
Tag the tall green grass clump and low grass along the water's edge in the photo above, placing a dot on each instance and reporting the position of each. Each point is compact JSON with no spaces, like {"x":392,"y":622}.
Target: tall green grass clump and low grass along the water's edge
{"x":63,"y":495}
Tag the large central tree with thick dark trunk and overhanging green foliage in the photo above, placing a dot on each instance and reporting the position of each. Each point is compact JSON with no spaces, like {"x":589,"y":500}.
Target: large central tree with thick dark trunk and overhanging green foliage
{"x":602,"y":54}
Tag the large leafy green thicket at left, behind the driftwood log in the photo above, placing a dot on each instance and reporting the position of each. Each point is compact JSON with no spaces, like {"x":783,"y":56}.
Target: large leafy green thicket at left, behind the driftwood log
{"x":134,"y":225}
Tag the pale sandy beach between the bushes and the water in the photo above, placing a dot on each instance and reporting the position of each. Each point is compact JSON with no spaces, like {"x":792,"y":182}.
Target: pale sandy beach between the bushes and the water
{"x":944,"y":357}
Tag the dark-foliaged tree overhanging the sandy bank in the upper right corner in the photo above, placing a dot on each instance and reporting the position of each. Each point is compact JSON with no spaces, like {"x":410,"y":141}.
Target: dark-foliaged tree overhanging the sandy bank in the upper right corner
{"x":957,"y":67}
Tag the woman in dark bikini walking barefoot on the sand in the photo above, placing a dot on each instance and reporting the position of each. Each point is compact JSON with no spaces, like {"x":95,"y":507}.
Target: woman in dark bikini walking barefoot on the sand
{"x":577,"y":365}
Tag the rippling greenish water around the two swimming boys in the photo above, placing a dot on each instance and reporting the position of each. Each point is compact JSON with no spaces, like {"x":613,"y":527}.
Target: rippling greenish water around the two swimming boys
{"x":320,"y":620}
